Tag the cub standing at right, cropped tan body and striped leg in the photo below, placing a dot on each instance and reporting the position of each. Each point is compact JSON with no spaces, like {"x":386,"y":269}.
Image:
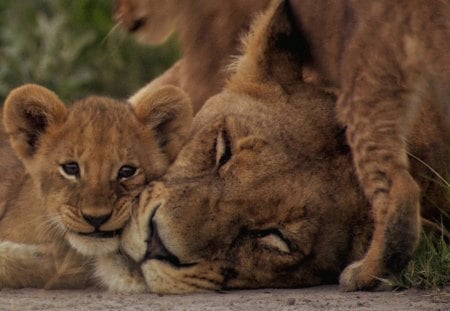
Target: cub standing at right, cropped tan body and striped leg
{"x":389,"y":59}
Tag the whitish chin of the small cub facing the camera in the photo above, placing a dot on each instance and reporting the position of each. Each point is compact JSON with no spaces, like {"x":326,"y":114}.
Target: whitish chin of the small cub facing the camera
{"x":93,"y":246}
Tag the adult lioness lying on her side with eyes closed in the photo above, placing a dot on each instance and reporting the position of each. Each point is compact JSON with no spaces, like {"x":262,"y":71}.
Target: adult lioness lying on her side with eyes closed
{"x":264,"y":193}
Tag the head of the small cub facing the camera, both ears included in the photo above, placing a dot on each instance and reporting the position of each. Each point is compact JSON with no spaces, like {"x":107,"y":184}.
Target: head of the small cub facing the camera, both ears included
{"x":90,"y":161}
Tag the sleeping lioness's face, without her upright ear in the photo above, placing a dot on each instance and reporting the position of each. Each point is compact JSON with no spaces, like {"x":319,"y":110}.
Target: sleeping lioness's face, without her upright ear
{"x":250,"y":203}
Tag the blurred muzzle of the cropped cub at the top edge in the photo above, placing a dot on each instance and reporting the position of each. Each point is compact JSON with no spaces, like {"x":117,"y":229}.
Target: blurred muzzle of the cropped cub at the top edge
{"x":152,"y":21}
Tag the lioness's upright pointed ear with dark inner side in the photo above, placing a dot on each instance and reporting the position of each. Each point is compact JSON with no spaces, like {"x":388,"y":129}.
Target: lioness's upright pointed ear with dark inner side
{"x":274,"y":47}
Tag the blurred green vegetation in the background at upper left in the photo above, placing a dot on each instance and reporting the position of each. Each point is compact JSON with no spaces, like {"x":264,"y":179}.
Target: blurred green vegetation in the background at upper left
{"x":72,"y":47}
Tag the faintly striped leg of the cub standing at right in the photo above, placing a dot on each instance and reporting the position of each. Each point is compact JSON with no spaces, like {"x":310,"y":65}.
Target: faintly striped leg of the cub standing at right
{"x":376,"y":132}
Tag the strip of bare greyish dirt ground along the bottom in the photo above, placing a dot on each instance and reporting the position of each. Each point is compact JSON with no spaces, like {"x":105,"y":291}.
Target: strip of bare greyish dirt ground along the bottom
{"x":316,"y":298}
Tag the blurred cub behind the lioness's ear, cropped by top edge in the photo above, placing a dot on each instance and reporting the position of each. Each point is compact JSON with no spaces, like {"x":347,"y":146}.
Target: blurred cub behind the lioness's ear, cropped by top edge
{"x":209,"y":33}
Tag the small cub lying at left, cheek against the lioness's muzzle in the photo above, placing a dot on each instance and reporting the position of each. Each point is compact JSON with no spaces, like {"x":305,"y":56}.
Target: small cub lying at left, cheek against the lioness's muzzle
{"x":68,"y":190}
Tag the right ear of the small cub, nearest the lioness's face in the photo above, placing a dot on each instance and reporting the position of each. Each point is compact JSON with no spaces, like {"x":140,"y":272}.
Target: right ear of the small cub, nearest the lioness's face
{"x":168,"y":111}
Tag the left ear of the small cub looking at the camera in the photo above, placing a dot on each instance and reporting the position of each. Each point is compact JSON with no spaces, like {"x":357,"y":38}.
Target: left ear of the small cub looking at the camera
{"x":28,"y":112}
